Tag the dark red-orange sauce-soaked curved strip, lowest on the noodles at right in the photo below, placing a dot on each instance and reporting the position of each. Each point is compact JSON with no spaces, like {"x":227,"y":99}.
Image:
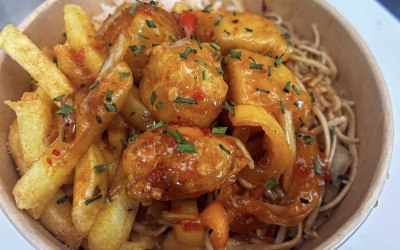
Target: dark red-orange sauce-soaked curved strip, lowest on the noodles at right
{"x":303,"y":196}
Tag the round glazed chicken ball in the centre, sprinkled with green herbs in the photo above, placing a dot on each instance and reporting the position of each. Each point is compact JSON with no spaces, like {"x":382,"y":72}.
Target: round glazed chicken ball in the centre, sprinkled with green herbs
{"x":183,"y":83}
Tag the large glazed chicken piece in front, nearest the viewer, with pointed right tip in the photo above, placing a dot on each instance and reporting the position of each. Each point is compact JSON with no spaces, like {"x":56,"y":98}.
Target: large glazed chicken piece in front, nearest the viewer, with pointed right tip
{"x":181,"y":163}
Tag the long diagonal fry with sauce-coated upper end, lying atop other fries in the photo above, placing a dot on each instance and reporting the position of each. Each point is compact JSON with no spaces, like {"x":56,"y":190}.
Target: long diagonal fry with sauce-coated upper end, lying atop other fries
{"x":52,"y":169}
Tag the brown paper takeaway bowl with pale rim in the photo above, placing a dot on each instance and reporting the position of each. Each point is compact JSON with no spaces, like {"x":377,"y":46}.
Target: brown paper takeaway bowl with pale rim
{"x":359,"y":80}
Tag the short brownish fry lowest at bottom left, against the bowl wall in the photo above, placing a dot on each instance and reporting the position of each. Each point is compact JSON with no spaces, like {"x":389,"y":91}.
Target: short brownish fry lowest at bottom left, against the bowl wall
{"x":57,"y":219}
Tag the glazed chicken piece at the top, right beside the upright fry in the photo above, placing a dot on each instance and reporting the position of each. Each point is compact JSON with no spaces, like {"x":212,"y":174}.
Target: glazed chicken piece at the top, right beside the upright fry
{"x":150,"y":27}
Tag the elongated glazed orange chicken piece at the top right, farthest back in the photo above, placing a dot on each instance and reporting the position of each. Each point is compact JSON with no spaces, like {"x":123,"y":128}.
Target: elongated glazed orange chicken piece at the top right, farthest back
{"x":234,"y":30}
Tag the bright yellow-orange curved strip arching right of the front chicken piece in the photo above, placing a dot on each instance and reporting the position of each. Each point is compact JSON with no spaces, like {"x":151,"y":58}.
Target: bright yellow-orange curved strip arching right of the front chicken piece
{"x":278,"y":158}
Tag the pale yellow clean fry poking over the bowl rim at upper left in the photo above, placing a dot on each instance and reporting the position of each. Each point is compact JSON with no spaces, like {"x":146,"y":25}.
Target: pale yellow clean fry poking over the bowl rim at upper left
{"x":35,"y":62}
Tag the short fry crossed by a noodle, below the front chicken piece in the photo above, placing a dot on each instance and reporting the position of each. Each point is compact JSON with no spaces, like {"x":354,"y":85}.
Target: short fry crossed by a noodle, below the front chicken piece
{"x":193,"y":235}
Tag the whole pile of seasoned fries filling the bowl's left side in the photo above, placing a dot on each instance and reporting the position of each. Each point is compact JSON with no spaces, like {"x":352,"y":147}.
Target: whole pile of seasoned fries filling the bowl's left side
{"x":56,"y":141}
